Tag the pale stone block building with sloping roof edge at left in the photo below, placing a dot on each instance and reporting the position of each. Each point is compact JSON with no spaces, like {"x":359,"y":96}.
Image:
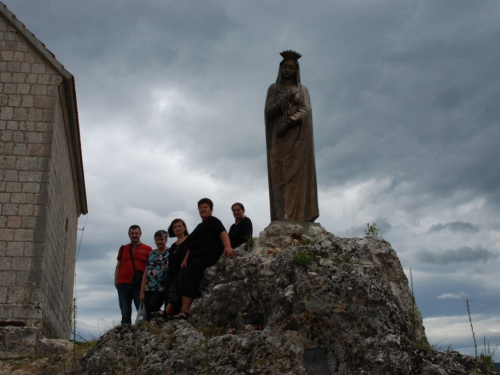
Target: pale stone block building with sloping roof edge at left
{"x":42,"y":190}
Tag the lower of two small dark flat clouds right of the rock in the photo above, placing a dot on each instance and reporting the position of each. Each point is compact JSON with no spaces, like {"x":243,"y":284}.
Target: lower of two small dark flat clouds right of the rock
{"x":462,"y":254}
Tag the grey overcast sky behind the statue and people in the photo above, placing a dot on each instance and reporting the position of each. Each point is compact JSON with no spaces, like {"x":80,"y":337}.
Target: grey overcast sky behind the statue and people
{"x":405,"y":99}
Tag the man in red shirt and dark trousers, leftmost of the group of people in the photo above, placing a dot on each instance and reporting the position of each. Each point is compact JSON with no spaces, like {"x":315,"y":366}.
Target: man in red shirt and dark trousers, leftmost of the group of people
{"x":137,"y":252}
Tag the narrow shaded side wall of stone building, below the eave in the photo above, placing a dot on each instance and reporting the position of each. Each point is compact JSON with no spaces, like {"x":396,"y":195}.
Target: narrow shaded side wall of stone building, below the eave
{"x":60,"y":238}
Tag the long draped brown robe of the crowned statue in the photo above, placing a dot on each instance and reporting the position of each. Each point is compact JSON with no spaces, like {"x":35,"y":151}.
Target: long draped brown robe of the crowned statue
{"x":291,"y":168}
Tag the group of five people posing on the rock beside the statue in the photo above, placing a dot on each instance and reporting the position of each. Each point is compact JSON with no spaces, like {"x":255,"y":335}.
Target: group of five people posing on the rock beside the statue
{"x":172,"y":276}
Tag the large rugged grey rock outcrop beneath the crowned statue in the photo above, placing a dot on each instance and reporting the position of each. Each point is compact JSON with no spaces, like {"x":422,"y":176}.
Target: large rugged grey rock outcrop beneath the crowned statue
{"x":296,"y":289}
